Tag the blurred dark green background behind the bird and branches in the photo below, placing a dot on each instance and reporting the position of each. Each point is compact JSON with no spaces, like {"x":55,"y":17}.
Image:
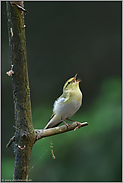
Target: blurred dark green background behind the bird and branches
{"x":65,"y":38}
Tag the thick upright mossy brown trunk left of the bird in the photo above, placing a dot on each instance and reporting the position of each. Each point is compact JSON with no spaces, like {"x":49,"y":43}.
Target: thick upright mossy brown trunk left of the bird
{"x":24,"y":133}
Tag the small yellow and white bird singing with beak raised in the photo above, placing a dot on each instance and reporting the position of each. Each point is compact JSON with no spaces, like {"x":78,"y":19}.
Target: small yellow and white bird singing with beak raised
{"x":67,"y":104}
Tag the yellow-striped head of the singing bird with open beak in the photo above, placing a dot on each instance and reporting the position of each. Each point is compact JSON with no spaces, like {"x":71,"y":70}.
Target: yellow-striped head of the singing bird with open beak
{"x":71,"y":84}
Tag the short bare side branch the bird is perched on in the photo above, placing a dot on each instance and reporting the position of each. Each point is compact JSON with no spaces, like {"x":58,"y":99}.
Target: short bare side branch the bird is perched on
{"x":57,"y":130}
